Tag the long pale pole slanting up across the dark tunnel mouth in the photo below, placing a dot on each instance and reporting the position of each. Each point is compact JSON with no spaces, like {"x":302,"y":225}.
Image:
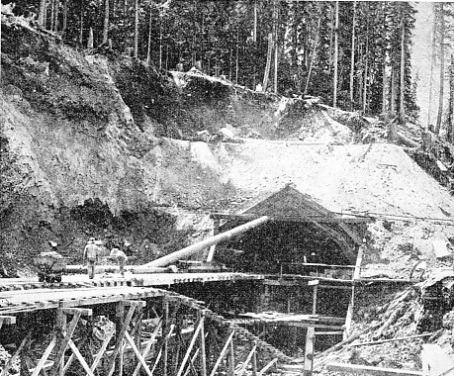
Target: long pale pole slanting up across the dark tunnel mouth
{"x":188,"y":251}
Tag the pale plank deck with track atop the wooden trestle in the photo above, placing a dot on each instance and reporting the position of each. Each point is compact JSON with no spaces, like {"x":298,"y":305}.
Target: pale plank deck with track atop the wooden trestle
{"x":28,"y":295}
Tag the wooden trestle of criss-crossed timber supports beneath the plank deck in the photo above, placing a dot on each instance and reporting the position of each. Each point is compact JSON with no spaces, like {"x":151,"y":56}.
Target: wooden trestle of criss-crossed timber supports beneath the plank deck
{"x":150,"y":332}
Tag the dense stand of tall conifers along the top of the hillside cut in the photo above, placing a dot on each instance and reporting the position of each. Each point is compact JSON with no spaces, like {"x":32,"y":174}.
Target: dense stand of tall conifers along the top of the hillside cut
{"x":356,"y":55}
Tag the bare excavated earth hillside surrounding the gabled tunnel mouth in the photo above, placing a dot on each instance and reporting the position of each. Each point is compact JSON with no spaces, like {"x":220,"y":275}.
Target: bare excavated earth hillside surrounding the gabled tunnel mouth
{"x":105,"y":146}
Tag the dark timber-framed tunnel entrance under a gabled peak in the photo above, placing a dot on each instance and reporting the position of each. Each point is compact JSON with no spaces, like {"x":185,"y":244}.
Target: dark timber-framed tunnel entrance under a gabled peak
{"x":308,"y":256}
